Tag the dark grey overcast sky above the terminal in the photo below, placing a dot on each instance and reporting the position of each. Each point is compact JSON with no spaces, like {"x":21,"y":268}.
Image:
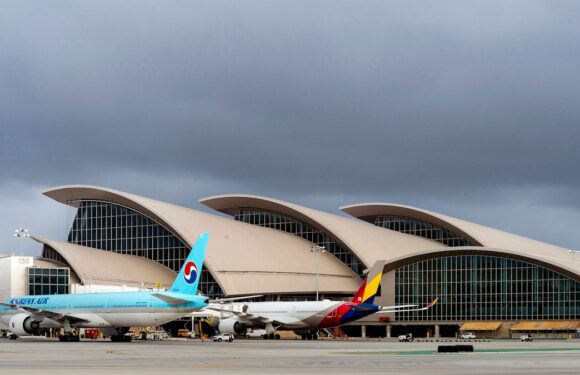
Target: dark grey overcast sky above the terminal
{"x":466,"y":108}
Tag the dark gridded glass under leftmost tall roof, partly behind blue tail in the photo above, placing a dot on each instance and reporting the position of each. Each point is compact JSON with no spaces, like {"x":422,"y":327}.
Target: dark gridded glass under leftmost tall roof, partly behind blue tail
{"x":112,"y":227}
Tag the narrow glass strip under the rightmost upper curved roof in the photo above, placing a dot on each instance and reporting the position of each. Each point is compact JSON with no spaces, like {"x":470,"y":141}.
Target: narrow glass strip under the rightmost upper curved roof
{"x":422,"y":229}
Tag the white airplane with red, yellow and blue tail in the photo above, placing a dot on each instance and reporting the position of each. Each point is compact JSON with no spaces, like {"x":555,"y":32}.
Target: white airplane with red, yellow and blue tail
{"x":306,"y":318}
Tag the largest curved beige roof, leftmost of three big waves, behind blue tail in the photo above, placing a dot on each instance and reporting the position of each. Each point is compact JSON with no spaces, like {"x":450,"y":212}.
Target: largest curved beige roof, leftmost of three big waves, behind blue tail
{"x":243,"y":258}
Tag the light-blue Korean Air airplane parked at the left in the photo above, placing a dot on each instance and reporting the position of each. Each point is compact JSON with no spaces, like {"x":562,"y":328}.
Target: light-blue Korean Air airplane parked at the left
{"x":114,"y":313}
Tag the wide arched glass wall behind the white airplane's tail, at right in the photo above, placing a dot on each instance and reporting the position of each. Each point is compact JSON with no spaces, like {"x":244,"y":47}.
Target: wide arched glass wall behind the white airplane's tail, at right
{"x":474,"y":287}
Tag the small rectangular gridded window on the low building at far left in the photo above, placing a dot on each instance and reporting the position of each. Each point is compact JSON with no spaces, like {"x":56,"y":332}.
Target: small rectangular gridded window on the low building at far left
{"x":42,"y":281}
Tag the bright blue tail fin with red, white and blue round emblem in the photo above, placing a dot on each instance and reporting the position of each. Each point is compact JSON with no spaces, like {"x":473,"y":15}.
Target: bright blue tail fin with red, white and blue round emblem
{"x":188,"y":277}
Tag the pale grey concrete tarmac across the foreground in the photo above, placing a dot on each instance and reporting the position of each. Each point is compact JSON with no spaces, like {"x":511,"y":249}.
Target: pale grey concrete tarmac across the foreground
{"x":42,"y":356}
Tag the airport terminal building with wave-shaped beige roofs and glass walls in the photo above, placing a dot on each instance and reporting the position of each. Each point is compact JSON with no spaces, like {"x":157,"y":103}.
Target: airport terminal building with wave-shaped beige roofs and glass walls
{"x":487,"y":280}
